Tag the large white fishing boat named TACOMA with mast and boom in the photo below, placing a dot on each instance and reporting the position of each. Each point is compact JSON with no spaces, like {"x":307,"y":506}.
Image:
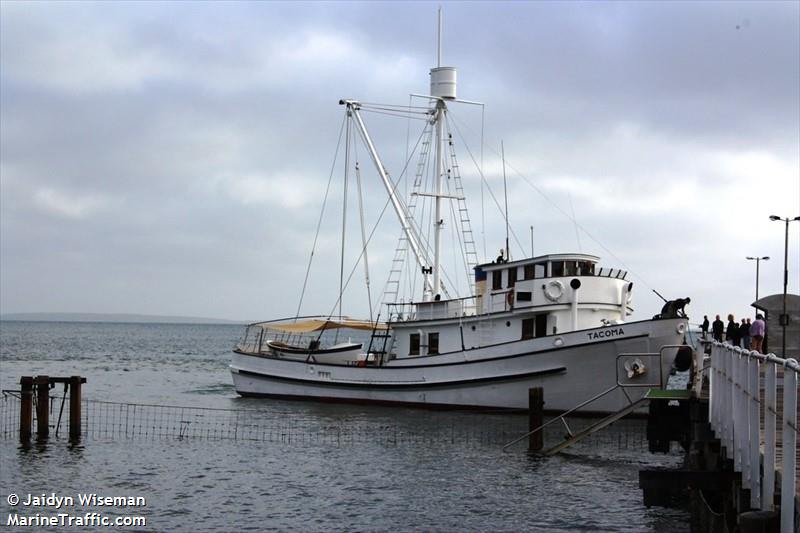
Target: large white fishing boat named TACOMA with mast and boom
{"x":556,"y":321}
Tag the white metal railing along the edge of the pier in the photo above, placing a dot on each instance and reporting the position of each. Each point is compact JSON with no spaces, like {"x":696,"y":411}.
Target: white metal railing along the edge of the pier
{"x":738,"y":414}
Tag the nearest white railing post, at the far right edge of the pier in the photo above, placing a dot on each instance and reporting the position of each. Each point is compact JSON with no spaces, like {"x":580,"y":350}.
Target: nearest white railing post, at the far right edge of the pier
{"x":789,"y":444}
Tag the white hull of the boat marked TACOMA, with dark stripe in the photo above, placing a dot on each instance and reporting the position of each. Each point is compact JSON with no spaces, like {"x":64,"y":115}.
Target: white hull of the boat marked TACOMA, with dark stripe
{"x":571,"y":368}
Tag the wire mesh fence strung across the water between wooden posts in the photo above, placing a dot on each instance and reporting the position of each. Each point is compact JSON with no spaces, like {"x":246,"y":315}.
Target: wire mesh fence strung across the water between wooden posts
{"x":104,"y":420}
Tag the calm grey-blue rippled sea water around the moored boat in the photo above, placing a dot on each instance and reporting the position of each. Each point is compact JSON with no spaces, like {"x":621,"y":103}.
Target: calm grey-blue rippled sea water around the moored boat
{"x":442,"y":482}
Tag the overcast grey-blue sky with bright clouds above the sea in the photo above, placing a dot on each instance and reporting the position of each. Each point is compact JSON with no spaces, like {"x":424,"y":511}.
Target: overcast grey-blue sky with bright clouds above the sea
{"x":171,"y":158}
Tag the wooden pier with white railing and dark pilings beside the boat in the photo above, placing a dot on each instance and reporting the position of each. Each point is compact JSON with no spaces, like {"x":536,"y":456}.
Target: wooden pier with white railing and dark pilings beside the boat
{"x":741,"y":439}
